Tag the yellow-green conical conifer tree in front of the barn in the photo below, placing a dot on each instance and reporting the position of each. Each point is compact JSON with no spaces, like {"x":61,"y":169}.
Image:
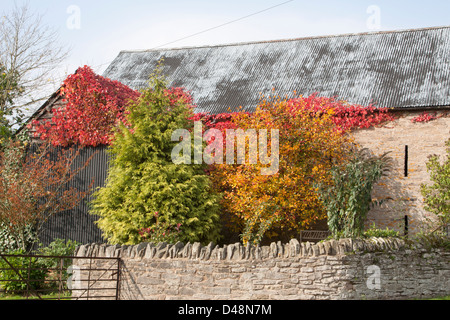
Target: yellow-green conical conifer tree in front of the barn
{"x":142,"y":179}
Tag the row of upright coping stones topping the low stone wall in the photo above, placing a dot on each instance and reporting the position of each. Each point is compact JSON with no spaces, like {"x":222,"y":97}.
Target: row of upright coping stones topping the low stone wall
{"x":237,"y":251}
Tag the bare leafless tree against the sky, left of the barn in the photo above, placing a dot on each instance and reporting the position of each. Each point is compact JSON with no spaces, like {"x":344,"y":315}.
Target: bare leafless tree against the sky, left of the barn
{"x":29,"y":56}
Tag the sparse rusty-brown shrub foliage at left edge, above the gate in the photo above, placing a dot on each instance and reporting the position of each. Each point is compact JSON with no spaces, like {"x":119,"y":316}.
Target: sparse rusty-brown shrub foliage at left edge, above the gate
{"x":35,"y":187}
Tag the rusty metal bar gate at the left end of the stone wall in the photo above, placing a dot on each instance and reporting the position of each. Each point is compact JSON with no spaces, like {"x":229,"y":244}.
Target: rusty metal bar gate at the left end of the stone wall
{"x":59,"y":277}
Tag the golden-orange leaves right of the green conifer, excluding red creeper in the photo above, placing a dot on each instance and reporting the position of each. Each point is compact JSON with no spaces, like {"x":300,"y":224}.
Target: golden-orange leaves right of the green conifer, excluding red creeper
{"x":308,"y":140}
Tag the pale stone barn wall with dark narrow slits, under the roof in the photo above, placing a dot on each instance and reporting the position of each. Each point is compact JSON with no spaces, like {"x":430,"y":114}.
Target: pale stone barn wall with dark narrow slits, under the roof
{"x":409,"y":143}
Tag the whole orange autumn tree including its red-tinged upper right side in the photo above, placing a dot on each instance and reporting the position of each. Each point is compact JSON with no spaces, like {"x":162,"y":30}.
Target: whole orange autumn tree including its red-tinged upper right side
{"x":312,"y":137}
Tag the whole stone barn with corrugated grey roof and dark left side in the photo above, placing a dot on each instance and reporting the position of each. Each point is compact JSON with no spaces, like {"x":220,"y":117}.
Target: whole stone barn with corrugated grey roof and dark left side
{"x":407,"y":71}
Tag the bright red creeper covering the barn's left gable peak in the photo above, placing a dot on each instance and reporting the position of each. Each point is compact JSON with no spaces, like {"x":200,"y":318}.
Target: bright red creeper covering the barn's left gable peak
{"x":94,"y":106}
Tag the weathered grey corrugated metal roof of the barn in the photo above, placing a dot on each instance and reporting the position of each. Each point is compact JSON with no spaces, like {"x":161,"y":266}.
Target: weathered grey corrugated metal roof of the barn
{"x":399,"y":69}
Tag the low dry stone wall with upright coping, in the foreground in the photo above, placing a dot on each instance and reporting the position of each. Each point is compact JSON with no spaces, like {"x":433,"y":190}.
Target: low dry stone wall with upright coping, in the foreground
{"x":345,"y":269}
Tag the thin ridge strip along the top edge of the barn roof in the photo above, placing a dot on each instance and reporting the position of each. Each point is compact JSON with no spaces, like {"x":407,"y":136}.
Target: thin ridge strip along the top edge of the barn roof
{"x":288,"y":39}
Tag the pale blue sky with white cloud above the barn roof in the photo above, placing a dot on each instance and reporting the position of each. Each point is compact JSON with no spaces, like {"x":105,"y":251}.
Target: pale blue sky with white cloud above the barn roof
{"x":105,"y":27}
